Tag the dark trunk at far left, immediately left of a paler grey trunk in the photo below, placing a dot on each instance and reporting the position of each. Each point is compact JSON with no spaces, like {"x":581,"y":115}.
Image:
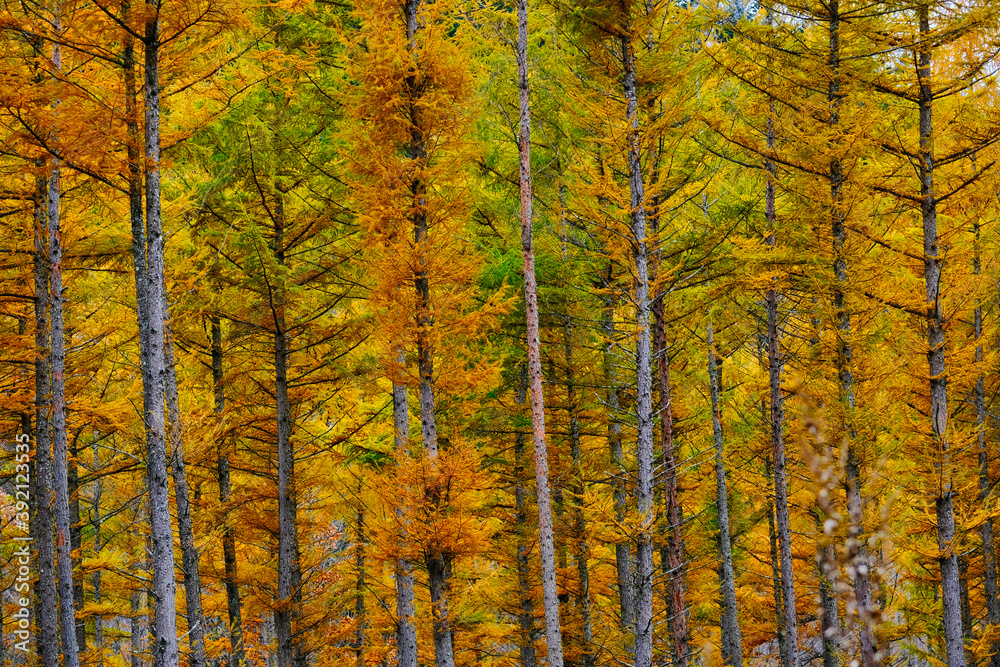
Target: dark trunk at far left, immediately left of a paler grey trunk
{"x":42,"y":527}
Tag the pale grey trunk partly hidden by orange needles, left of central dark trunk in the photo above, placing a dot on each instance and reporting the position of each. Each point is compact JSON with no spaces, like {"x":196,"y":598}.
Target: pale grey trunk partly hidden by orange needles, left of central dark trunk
{"x":406,"y":632}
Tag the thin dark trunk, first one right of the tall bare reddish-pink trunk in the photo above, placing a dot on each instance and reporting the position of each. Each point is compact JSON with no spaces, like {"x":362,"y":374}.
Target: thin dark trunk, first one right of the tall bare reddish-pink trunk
{"x":580,"y":547}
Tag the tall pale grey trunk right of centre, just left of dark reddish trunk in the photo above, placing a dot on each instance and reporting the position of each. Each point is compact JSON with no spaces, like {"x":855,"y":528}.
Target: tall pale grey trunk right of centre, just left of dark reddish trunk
{"x":644,"y":396}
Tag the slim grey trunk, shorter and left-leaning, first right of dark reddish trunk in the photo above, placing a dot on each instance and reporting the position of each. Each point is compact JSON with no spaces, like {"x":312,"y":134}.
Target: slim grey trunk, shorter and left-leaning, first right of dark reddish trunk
{"x":732,"y":640}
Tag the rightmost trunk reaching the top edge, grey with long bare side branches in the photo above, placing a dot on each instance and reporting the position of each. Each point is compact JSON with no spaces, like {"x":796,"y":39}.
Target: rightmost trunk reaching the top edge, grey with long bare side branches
{"x":937,"y":370}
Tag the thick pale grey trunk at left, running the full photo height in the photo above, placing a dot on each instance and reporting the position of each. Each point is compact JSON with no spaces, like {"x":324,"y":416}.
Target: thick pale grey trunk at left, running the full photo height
{"x":149,"y":269}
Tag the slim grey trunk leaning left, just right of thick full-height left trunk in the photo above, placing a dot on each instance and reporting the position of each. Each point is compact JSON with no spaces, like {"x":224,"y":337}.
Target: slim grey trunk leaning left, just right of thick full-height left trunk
{"x":185,"y":528}
